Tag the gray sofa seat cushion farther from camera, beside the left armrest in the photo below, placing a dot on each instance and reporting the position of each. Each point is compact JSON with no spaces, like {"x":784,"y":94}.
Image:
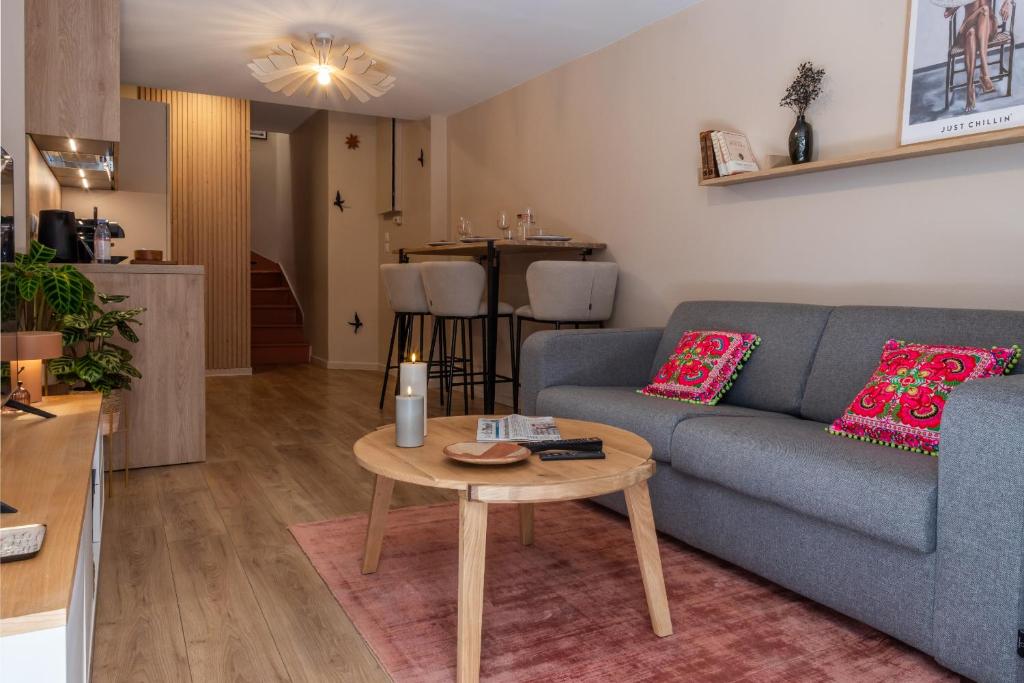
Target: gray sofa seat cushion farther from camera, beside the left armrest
{"x":654,"y":419}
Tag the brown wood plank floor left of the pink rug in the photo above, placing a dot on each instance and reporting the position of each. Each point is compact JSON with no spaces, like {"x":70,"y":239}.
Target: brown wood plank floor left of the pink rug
{"x":200,"y":579}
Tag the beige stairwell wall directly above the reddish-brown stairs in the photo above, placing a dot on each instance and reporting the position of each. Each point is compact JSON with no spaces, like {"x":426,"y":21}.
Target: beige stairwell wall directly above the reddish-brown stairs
{"x":274,"y":236}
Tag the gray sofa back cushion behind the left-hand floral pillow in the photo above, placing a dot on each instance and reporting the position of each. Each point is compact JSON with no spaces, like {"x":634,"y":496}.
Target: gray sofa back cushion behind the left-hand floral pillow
{"x":776,"y":375}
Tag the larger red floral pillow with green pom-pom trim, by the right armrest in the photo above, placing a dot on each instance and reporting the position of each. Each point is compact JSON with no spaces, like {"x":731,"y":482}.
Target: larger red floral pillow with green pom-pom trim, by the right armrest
{"x":903,"y":404}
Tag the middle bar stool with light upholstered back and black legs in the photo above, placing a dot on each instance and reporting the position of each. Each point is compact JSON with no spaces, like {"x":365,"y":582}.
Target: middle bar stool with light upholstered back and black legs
{"x":455,"y":292}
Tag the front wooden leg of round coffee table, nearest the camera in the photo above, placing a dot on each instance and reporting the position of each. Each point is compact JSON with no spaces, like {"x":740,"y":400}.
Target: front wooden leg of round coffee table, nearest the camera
{"x":473,"y":547}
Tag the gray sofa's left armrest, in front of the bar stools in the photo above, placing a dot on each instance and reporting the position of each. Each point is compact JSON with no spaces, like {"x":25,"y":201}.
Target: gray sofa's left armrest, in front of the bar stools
{"x":586,"y":358}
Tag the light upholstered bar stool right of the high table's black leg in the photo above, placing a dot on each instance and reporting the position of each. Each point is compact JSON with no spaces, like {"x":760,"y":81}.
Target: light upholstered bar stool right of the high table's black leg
{"x":565,"y":293}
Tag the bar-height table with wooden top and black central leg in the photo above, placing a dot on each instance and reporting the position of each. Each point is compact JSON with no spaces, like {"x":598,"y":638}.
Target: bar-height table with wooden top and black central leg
{"x":491,"y":251}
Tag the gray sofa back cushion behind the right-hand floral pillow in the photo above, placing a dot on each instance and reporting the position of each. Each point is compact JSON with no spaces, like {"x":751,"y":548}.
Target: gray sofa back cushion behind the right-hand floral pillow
{"x":855,"y":337}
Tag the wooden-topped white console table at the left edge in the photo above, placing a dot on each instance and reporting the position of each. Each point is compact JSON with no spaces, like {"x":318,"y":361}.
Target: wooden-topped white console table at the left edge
{"x":54,"y":475}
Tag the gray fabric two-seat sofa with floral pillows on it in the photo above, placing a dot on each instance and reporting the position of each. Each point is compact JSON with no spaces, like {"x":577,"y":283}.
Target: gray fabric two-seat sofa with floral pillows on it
{"x":929,"y":550}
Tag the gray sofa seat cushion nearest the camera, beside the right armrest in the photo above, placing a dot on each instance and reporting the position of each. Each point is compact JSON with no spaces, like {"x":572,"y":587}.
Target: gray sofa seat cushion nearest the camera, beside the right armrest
{"x":874,"y":490}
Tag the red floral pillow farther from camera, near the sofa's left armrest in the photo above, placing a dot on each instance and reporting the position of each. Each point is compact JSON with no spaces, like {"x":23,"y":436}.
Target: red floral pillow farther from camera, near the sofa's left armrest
{"x":703,"y":367}
